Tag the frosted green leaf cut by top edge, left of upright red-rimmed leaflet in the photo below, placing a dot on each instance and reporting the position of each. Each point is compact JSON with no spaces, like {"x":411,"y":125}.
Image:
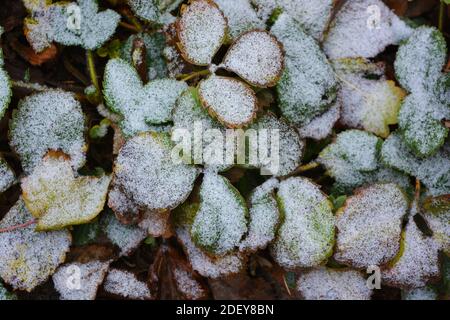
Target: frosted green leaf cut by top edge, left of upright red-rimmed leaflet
{"x":155,"y":11}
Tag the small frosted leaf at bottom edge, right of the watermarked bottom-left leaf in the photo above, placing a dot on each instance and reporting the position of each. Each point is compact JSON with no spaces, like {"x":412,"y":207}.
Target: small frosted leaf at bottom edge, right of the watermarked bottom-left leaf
{"x":125,"y":284}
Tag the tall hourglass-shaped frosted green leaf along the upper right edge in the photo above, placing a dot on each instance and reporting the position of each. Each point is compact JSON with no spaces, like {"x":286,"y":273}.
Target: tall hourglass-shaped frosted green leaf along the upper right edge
{"x":418,"y":67}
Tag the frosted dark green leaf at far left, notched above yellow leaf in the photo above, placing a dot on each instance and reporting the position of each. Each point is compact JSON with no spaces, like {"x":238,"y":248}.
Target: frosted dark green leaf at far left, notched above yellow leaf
{"x":50,"y":120}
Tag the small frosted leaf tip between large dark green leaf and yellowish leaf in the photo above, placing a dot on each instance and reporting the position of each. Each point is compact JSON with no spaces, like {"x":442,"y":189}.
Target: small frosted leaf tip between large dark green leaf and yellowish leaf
{"x":322,"y":126}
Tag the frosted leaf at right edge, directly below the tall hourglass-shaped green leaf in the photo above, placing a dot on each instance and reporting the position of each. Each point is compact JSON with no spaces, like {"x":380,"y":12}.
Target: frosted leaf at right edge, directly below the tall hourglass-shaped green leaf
{"x":433,"y":172}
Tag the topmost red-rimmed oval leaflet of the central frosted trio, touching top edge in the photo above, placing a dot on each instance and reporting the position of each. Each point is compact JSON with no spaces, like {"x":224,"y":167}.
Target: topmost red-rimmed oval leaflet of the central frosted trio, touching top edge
{"x":201,"y":30}
